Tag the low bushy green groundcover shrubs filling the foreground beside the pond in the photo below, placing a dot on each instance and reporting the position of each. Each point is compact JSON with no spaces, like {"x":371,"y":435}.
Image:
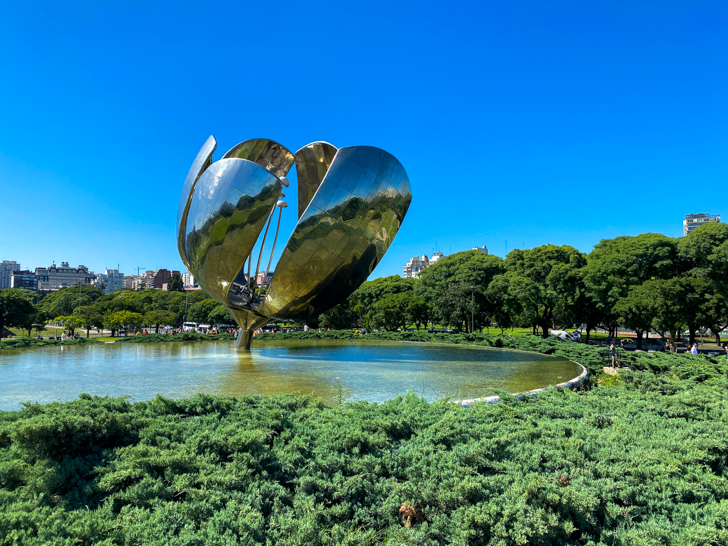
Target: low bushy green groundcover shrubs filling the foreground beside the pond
{"x":642,"y":462}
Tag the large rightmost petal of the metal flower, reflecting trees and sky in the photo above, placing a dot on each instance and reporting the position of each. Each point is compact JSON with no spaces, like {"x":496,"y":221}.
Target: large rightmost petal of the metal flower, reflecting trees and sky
{"x":342,"y":235}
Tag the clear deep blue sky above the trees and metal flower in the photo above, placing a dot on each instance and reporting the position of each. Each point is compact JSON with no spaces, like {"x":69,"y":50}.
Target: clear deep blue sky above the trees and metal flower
{"x":535,"y":122}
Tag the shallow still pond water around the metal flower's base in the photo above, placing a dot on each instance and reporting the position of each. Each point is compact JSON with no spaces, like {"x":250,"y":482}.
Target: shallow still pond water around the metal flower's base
{"x":373,"y":371}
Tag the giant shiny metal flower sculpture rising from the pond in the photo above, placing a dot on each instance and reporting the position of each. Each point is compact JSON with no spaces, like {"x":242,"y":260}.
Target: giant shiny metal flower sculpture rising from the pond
{"x":351,"y":203}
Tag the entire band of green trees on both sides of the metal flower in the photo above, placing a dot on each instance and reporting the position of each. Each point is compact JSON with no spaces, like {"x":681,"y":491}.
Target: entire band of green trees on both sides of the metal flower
{"x":647,"y":283}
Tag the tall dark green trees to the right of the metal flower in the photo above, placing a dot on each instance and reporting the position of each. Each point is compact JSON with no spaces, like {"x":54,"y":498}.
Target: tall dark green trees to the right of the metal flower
{"x":647,"y":283}
